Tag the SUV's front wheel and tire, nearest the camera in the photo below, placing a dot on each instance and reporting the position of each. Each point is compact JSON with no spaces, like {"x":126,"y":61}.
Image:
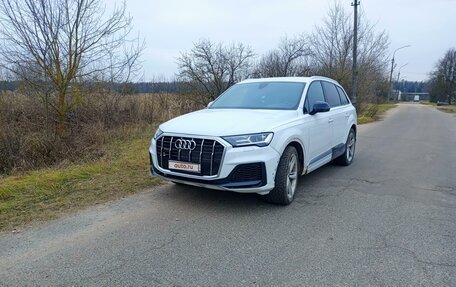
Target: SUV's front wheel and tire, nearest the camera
{"x":286,"y":179}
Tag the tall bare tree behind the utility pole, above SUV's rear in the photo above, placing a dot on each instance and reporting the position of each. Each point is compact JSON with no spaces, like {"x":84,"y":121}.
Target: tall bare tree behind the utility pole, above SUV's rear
{"x":332,"y":45}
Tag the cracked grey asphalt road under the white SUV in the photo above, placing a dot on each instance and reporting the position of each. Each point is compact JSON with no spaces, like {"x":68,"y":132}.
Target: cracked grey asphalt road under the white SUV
{"x":388,"y":219}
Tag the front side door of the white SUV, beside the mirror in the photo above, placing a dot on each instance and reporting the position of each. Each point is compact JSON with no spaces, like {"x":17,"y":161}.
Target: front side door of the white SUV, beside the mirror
{"x":320,"y":135}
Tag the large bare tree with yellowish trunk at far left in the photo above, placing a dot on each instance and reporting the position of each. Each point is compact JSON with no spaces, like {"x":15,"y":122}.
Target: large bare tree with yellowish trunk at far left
{"x":57,"y":46}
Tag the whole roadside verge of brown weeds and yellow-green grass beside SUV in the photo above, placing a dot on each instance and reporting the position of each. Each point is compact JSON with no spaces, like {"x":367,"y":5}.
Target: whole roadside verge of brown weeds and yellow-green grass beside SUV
{"x":104,"y":156}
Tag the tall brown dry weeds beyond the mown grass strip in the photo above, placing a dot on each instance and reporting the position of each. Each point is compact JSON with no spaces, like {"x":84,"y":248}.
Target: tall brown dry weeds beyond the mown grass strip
{"x":28,"y":139}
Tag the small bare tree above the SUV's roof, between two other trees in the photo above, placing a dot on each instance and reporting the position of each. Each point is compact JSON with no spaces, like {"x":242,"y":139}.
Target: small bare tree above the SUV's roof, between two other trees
{"x":291,"y":58}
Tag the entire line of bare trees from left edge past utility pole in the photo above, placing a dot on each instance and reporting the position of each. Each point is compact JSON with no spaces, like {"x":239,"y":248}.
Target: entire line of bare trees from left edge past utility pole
{"x":64,"y":51}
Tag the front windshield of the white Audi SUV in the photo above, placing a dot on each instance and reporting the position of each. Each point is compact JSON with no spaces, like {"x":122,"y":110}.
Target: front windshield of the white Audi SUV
{"x":261,"y":95}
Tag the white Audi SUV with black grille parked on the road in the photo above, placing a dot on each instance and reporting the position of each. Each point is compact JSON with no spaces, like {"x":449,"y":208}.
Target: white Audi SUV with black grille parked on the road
{"x":258,"y":137}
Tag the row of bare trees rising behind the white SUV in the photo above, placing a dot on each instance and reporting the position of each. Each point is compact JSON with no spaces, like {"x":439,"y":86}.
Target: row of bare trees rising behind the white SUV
{"x":210,"y":68}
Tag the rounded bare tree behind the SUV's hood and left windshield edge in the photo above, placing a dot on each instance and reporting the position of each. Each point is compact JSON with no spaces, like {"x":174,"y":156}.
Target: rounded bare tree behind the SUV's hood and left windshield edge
{"x":209,"y":69}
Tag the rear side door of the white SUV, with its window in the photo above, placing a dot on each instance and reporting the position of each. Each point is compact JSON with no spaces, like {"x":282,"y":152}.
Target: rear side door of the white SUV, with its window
{"x":337,"y":118}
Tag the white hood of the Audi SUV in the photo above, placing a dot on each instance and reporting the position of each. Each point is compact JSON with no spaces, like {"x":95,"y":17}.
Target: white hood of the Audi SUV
{"x":223,"y":122}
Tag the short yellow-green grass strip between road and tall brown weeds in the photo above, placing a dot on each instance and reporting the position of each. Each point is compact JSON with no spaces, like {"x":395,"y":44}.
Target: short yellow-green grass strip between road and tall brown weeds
{"x":48,"y":193}
